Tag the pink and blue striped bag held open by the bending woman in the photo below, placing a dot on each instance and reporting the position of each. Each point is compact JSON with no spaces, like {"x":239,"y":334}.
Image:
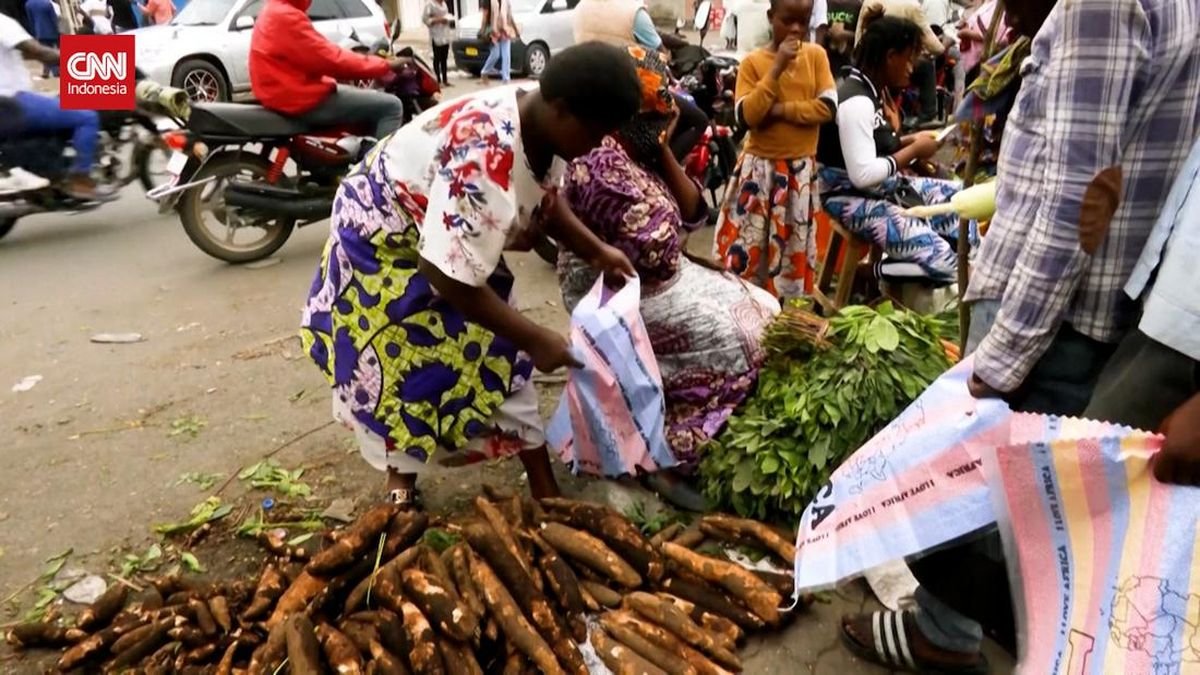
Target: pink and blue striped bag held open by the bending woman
{"x":610,"y":421}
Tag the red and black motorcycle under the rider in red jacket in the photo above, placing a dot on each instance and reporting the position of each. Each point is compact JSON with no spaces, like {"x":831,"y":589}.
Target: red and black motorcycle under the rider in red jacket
{"x":232,"y":159}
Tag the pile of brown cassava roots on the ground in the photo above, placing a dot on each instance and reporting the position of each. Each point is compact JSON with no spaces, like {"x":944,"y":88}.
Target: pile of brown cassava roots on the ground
{"x":523,"y":589}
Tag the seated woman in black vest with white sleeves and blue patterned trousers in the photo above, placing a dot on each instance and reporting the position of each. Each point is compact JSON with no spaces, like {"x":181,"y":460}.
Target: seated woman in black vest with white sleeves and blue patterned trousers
{"x":862,"y":158}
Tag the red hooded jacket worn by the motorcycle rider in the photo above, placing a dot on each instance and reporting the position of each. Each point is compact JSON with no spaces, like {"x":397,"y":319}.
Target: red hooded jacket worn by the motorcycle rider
{"x":293,"y":68}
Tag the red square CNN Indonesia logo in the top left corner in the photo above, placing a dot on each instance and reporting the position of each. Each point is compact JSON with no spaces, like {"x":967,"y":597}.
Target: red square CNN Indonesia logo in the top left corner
{"x":97,"y":73}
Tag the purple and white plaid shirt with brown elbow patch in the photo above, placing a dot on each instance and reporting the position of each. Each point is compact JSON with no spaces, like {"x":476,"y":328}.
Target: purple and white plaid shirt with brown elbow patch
{"x":1108,"y":83}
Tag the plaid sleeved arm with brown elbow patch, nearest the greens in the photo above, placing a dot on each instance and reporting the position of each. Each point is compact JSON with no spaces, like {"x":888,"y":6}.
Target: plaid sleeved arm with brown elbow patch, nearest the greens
{"x":1090,"y":75}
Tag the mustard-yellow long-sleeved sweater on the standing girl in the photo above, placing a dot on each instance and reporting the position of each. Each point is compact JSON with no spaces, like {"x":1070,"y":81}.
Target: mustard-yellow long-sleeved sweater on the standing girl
{"x":806,"y":92}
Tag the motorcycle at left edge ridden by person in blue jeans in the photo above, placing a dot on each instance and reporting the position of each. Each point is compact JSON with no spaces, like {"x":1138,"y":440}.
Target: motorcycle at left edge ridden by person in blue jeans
{"x":129,"y":145}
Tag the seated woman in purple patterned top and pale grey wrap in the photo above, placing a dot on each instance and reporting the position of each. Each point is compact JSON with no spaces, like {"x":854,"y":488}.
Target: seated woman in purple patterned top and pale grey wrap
{"x":705,"y":325}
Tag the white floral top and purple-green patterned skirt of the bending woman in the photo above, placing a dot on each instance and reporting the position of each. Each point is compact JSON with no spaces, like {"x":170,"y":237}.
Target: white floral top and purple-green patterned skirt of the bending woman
{"x":411,"y":374}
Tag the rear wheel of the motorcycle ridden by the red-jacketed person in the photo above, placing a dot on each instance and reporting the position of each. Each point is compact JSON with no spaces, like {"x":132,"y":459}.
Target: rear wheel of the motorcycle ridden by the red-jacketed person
{"x":194,"y":206}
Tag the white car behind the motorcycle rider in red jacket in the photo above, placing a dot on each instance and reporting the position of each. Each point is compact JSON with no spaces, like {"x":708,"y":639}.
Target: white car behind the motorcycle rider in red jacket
{"x":206,"y":49}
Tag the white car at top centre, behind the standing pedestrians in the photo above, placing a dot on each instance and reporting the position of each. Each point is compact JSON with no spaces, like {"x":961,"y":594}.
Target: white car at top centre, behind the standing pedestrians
{"x":547,"y":28}
